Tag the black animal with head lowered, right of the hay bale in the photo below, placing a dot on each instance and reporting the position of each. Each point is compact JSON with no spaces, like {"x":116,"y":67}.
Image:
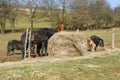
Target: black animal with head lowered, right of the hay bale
{"x":97,"y":40}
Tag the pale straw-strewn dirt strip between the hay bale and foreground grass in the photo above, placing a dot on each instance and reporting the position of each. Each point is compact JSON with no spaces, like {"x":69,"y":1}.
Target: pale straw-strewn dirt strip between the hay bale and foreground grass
{"x":97,"y":54}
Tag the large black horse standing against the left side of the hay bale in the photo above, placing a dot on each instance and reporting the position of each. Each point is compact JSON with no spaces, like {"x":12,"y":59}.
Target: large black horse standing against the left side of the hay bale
{"x":40,"y":38}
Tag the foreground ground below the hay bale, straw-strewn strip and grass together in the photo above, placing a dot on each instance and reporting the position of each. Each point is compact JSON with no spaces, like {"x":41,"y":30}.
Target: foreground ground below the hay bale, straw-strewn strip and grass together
{"x":99,"y":65}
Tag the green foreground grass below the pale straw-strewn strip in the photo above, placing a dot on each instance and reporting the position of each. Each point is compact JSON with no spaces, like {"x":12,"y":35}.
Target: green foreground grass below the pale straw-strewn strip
{"x":106,"y":68}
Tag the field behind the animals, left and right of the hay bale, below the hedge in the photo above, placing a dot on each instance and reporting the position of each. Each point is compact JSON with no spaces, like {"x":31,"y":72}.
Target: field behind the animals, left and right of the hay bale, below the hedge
{"x":105,"y":34}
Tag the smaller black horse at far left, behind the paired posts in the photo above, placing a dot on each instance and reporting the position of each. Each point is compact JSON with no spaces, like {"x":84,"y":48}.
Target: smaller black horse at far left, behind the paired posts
{"x":18,"y":45}
